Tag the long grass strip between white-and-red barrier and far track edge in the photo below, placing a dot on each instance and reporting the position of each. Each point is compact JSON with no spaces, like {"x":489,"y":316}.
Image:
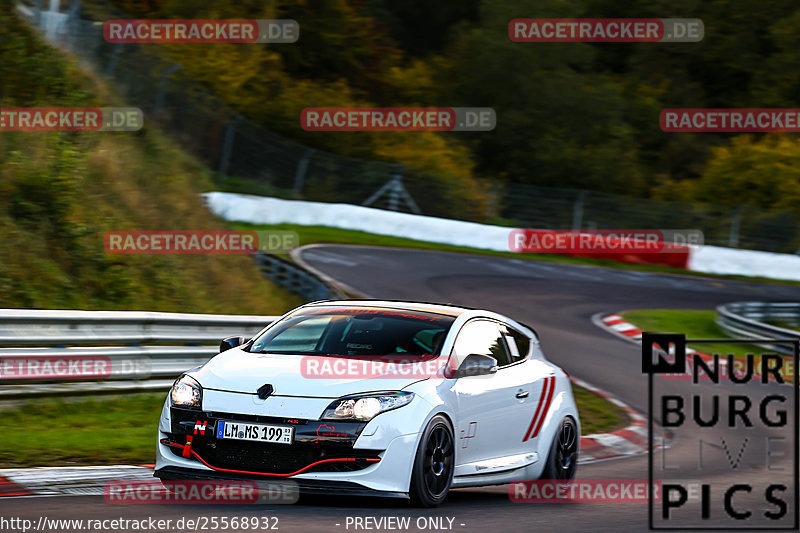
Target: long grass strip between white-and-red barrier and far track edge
{"x":326,"y":235}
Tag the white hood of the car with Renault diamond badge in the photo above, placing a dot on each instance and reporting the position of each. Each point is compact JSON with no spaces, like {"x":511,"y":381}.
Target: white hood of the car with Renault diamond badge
{"x":239,"y":371}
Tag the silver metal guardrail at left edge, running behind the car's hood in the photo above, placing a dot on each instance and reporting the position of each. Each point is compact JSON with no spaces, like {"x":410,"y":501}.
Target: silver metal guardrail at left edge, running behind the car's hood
{"x":146,"y":350}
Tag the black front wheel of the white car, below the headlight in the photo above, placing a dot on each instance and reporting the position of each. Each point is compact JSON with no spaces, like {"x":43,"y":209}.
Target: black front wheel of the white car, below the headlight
{"x":434,"y":464}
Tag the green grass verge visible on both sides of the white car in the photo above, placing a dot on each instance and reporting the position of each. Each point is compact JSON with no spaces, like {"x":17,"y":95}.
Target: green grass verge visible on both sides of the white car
{"x":106,"y":430}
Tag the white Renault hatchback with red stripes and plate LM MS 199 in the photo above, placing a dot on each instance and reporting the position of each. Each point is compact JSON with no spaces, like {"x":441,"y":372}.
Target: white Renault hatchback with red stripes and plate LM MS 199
{"x":376,"y":398}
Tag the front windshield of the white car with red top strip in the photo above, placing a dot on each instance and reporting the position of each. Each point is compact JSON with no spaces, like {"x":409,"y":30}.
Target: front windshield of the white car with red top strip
{"x":356,"y":331}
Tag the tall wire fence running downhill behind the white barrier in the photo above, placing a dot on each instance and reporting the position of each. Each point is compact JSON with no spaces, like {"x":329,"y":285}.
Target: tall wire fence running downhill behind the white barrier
{"x":252,"y":159}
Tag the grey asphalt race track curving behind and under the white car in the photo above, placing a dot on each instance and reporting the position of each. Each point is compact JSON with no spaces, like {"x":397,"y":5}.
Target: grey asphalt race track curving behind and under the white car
{"x":558,"y":301}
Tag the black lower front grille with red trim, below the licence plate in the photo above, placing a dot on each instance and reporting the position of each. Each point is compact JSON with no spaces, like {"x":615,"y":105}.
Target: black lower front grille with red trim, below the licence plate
{"x":277,"y":458}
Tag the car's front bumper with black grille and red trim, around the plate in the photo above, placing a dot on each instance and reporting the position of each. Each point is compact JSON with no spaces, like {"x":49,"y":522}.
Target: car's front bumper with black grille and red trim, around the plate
{"x":380,"y":459}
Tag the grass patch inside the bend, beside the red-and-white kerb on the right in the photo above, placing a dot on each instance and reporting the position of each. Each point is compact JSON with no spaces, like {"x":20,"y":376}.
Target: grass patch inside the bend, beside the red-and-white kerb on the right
{"x":694,"y":324}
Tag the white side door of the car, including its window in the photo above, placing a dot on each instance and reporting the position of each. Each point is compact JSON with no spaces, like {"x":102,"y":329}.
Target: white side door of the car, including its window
{"x":494,"y":411}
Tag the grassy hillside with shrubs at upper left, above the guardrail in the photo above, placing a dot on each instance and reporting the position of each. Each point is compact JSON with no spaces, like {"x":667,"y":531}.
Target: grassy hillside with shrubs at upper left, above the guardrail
{"x":59,"y":193}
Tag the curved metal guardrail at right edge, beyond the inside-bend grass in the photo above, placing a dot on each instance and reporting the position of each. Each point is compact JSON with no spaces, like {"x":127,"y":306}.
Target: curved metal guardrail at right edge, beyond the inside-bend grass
{"x":747,"y":320}
